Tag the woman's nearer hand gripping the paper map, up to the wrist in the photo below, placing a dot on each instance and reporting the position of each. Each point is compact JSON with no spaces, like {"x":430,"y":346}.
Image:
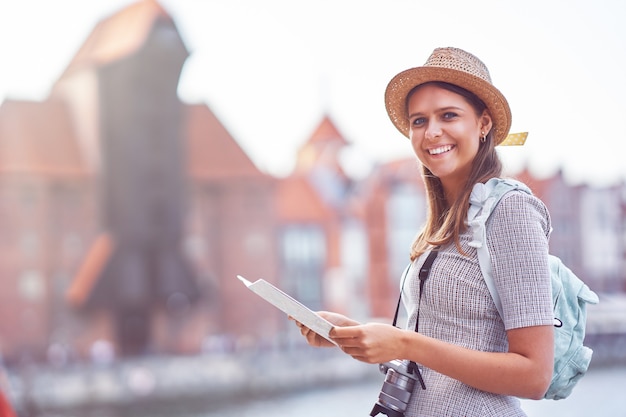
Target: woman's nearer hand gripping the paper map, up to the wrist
{"x":370,"y":343}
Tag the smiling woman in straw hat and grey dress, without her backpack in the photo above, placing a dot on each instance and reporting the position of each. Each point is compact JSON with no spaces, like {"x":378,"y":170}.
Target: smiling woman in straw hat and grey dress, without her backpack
{"x":473,"y":362}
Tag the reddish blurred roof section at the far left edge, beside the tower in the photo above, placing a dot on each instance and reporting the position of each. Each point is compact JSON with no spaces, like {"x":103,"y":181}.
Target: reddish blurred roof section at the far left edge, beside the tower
{"x":38,"y":138}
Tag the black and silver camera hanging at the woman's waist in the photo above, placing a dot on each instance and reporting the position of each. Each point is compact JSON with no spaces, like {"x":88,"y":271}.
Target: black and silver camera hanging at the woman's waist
{"x":400,"y":378}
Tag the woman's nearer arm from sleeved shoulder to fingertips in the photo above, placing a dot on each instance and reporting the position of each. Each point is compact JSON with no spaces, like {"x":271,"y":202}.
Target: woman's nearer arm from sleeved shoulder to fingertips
{"x":525,"y":370}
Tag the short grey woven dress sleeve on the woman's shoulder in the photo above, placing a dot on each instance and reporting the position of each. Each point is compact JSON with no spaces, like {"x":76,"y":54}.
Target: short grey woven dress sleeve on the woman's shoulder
{"x":517,"y":236}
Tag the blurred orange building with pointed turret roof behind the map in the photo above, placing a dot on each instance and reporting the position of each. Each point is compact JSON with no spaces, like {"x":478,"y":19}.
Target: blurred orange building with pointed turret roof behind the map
{"x":322,"y":234}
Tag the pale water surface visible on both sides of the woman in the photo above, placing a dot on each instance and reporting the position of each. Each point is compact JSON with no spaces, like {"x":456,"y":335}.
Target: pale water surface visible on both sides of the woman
{"x":602,"y":392}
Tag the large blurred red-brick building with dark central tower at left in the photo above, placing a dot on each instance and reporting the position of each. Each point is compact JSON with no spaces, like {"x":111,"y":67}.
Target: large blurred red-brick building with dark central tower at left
{"x":128,"y":213}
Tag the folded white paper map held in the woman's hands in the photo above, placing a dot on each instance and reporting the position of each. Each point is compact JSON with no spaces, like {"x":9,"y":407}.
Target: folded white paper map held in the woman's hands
{"x":290,"y":306}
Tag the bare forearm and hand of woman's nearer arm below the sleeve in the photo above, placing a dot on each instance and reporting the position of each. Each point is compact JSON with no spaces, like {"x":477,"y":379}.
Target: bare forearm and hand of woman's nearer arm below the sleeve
{"x":524,"y":371}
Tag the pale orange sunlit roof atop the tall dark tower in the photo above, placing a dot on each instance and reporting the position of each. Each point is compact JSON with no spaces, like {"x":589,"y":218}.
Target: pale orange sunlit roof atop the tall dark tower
{"x":118,"y":36}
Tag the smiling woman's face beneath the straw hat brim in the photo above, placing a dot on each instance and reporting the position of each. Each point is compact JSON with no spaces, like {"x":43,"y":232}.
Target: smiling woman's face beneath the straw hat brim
{"x":445,"y":133}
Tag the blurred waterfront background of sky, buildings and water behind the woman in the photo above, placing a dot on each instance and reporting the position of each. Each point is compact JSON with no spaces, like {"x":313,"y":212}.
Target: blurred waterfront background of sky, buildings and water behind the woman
{"x":151,"y":151}
